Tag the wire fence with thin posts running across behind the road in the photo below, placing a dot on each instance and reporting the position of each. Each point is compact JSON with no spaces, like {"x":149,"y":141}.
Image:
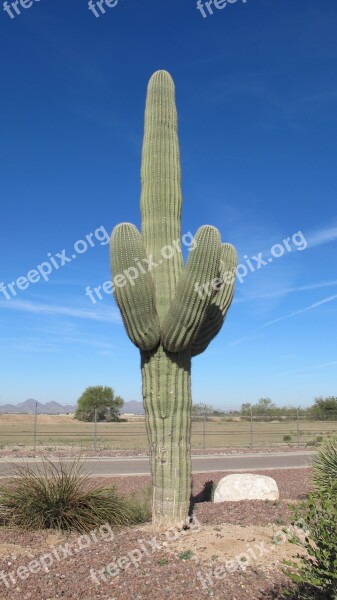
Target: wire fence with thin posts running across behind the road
{"x":236,"y":430}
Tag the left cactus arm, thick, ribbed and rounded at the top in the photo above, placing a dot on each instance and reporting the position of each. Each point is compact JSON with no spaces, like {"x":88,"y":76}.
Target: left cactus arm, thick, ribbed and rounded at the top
{"x":133,"y":286}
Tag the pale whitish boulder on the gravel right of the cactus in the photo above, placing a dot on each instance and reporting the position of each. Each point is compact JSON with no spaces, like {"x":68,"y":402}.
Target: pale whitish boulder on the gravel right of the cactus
{"x":246,"y":486}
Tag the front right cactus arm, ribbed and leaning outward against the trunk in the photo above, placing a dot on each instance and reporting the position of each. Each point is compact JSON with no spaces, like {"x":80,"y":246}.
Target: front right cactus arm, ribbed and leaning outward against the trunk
{"x":189,"y":306}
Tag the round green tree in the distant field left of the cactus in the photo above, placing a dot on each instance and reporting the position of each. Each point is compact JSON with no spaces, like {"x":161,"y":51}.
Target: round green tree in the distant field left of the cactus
{"x":103,"y":400}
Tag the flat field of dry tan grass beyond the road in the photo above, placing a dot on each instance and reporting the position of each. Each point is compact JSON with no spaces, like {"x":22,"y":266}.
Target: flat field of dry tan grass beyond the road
{"x":64,"y":430}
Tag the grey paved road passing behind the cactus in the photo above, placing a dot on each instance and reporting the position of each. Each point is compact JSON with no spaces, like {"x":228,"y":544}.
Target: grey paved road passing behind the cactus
{"x":200,"y":464}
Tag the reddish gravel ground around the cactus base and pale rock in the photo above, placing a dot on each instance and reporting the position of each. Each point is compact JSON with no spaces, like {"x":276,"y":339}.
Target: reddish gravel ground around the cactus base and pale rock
{"x":192,"y":565}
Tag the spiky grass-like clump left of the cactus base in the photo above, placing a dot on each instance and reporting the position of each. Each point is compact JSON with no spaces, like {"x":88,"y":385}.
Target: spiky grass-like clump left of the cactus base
{"x":60,"y":497}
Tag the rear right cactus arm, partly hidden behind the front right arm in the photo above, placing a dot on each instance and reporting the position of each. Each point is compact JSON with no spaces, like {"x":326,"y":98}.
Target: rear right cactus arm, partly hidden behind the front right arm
{"x":218,"y":307}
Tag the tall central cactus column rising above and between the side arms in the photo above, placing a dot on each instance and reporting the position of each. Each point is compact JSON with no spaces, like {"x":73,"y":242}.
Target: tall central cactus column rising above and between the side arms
{"x":161,"y":197}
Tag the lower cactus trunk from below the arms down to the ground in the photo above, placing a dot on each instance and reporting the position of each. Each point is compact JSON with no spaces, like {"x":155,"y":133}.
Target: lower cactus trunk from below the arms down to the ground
{"x":167,"y":401}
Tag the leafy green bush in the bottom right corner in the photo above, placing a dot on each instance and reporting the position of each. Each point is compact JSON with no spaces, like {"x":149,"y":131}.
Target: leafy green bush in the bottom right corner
{"x":315,"y":572}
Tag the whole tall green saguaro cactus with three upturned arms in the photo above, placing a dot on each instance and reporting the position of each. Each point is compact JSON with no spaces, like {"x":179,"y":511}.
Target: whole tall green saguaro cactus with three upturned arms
{"x":171,"y":312}
